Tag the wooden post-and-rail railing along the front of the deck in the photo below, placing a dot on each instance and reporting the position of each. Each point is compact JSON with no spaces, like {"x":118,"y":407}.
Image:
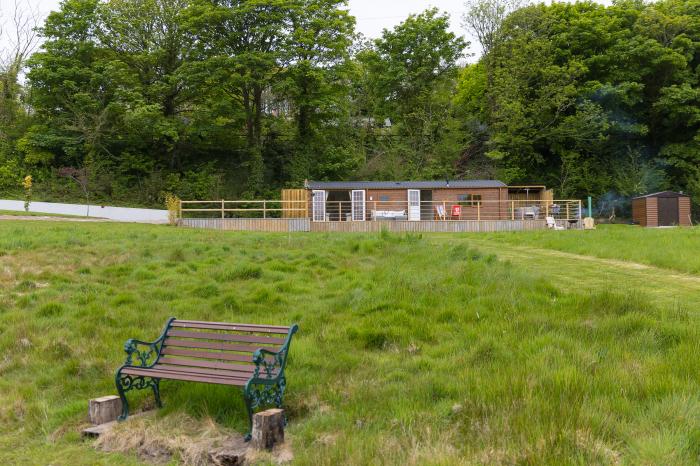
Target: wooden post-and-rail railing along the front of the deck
{"x":341,"y":211}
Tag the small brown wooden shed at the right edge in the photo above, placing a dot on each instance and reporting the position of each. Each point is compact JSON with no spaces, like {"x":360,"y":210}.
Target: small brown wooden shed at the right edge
{"x":663,"y":209}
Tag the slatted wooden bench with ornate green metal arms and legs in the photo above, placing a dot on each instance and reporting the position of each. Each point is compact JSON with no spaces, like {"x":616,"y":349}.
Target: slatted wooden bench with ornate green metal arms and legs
{"x":242,"y":355}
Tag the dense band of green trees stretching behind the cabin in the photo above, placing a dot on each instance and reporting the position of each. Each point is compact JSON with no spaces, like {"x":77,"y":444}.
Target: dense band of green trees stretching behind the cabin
{"x":229,"y":98}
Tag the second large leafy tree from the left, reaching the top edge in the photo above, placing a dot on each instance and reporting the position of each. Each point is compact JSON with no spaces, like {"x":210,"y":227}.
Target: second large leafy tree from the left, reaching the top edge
{"x":149,"y":49}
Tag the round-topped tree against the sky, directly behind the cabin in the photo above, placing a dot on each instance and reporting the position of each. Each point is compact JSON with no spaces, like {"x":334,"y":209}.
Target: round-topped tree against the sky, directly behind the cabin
{"x":413,"y":68}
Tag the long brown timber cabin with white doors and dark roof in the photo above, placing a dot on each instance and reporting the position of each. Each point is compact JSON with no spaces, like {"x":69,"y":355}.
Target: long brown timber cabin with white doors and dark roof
{"x":360,"y":201}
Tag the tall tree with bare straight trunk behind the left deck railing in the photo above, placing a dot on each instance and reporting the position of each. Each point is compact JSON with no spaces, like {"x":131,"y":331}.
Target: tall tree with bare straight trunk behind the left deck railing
{"x":243,"y":41}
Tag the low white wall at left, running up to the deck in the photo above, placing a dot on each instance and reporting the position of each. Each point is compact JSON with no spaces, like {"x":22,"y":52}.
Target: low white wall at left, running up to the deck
{"x":123,"y":214}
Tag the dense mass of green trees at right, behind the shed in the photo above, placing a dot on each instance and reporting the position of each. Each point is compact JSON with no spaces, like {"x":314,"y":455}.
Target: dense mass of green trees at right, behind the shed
{"x":591,"y":99}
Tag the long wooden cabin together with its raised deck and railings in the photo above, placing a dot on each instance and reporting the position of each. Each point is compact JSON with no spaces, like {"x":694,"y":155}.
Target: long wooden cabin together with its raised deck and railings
{"x":398,"y":206}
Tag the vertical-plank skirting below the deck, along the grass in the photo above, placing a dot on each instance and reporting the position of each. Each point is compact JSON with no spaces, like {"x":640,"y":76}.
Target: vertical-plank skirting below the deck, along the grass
{"x":306,"y":225}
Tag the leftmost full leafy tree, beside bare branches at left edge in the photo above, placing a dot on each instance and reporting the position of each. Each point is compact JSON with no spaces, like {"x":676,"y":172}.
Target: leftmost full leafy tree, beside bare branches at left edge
{"x":71,"y":87}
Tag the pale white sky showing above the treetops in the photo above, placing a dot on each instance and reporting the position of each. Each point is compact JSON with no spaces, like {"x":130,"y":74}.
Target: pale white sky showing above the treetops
{"x":372,"y":15}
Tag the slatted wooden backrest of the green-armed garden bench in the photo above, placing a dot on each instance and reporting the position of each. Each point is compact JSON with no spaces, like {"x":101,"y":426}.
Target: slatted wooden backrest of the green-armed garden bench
{"x":218,"y":345}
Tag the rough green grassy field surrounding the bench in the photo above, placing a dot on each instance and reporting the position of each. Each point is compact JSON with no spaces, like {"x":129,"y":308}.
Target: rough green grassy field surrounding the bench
{"x":444,"y":349}
